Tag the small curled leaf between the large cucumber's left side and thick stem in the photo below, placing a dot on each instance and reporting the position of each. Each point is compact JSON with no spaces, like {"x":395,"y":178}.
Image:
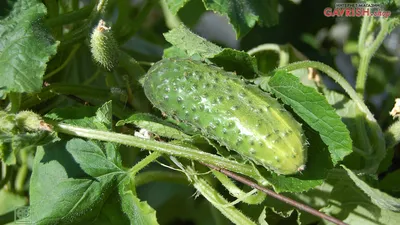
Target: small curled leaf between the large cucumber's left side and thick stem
{"x":154,"y":125}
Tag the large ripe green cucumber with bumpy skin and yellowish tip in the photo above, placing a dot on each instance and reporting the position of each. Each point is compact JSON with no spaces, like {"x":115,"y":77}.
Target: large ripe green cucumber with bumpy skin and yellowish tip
{"x":238,"y":116}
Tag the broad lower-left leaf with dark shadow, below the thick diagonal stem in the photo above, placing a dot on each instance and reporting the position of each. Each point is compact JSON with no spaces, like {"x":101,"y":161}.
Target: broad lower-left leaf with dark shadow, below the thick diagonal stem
{"x":75,"y":182}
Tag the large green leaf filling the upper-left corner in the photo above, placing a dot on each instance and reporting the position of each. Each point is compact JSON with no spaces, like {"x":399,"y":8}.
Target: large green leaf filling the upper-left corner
{"x":24,"y":59}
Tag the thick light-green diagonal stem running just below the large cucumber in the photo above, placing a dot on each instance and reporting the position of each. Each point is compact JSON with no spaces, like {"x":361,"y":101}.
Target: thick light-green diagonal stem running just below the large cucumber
{"x":152,"y":145}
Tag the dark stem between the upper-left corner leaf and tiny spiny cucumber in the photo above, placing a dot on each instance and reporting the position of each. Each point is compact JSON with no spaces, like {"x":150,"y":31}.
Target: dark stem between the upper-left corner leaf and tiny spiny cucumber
{"x":70,"y":17}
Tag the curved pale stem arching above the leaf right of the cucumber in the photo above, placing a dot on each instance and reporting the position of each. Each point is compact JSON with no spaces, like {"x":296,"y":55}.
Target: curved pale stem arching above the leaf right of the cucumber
{"x":336,"y":76}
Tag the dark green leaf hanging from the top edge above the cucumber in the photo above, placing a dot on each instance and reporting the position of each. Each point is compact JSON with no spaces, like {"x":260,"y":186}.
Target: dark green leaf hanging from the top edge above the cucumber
{"x":243,"y":15}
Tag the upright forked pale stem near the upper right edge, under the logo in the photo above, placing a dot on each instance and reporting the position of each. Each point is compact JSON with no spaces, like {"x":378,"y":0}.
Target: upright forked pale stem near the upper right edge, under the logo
{"x":366,"y":54}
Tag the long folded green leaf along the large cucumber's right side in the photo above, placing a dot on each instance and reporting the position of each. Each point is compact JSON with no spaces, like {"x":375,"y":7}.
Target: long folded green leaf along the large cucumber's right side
{"x":313,"y":108}
